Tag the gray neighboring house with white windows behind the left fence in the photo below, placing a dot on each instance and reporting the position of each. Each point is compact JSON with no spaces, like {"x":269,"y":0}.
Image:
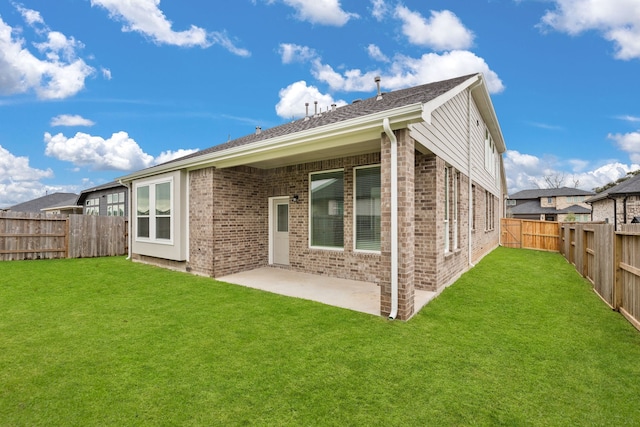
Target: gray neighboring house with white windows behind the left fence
{"x":110,"y":199}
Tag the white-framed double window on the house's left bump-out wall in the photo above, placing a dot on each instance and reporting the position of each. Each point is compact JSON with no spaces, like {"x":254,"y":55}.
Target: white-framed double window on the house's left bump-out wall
{"x":154,"y":217}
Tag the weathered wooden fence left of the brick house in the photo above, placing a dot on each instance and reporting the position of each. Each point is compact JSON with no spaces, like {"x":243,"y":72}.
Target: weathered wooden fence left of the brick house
{"x":39,"y":236}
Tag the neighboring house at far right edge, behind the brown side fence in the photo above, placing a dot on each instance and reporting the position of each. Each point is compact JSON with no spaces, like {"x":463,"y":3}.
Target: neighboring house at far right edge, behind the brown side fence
{"x":619,"y":204}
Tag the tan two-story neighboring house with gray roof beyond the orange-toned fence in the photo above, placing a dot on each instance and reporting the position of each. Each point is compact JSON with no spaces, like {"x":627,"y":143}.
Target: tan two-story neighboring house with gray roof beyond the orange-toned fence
{"x":552,"y":204}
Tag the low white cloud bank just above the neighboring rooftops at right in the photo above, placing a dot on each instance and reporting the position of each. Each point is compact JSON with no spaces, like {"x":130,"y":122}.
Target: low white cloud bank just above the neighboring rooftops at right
{"x":525,"y":171}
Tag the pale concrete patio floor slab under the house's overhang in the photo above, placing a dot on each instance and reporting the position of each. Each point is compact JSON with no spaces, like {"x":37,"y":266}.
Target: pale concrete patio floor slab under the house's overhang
{"x":350,"y":294}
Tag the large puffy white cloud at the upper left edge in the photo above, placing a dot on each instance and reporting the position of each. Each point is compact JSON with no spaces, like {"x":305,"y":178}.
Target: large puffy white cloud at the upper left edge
{"x":60,"y":74}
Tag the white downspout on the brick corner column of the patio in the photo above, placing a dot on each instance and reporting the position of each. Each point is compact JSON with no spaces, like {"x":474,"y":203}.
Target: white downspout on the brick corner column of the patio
{"x":394,"y":218}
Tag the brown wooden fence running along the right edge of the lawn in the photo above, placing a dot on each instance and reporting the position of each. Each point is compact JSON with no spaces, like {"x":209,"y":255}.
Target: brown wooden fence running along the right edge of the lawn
{"x":610,"y":260}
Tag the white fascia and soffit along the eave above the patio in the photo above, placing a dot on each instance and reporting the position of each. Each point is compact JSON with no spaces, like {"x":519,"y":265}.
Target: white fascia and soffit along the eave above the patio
{"x":329,"y":135}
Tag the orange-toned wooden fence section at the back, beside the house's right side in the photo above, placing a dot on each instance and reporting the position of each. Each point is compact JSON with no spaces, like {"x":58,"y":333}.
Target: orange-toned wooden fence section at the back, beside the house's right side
{"x":530,"y":234}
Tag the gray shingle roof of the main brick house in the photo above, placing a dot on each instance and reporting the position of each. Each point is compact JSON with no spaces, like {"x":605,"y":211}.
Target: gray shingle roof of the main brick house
{"x":390,"y":100}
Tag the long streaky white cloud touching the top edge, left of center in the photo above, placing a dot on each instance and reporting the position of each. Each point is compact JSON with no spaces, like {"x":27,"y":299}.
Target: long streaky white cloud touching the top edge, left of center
{"x":145,"y":17}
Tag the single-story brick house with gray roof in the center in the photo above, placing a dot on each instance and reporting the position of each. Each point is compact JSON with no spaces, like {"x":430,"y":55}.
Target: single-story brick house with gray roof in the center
{"x":404,"y":189}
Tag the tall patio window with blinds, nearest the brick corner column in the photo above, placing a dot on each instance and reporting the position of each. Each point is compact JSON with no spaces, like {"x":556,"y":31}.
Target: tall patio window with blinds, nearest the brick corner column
{"x":366,"y":227}
